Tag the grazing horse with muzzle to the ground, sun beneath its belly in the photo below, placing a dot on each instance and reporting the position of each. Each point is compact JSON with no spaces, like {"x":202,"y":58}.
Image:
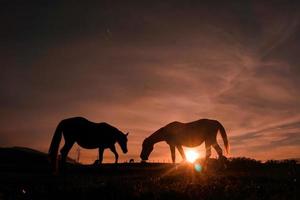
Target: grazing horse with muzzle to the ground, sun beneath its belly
{"x":191,"y":134}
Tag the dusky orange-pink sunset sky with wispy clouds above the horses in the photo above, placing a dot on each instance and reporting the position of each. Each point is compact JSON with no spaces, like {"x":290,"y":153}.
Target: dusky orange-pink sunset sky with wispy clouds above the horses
{"x":141,"y":65}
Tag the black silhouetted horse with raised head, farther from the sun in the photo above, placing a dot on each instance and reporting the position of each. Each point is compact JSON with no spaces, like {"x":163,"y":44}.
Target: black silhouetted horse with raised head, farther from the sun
{"x":88,"y":135}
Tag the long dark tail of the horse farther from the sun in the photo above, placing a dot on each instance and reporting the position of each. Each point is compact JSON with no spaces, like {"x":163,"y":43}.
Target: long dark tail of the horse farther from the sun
{"x":54,"y":146}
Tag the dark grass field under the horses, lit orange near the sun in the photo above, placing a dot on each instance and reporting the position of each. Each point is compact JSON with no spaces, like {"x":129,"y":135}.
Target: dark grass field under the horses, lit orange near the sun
{"x":241,"y":179}
